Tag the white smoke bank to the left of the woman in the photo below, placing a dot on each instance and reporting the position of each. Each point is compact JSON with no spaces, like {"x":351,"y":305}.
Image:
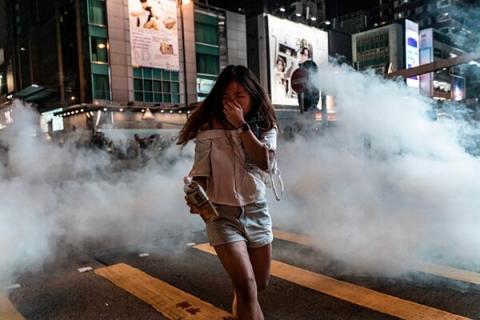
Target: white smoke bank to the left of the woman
{"x":52,"y":196}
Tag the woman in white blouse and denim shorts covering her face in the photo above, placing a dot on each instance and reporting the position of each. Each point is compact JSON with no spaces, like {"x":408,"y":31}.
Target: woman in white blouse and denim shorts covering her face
{"x":235,"y":131}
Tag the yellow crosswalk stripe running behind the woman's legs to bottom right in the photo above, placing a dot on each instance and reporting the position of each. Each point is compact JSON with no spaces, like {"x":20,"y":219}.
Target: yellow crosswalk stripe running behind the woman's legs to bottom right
{"x":374,"y":300}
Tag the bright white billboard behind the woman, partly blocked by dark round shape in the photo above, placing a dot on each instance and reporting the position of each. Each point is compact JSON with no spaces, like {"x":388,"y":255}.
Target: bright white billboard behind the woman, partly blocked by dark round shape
{"x":291,"y":43}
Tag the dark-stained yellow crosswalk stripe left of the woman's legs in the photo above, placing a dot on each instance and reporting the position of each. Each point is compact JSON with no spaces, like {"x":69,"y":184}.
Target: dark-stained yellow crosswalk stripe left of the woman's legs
{"x":171,"y":302}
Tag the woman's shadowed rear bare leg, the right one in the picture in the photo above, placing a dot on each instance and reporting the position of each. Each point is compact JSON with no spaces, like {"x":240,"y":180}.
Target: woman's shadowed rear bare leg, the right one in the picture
{"x":261,"y":259}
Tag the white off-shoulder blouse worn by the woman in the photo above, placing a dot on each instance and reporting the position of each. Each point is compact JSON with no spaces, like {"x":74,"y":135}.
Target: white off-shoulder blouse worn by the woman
{"x":232,"y":179}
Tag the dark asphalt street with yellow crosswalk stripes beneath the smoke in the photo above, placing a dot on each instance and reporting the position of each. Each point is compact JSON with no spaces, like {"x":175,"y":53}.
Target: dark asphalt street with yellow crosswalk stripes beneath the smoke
{"x":189,"y":283}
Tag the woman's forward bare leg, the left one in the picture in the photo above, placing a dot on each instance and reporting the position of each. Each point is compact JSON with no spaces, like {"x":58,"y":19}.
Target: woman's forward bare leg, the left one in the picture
{"x":236,"y":261}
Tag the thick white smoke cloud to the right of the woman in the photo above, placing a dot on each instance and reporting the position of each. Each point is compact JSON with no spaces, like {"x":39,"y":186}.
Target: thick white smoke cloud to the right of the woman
{"x":387,"y":187}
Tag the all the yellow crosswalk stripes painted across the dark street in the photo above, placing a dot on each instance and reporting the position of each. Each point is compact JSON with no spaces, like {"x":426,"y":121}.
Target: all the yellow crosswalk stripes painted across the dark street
{"x":173,"y":303}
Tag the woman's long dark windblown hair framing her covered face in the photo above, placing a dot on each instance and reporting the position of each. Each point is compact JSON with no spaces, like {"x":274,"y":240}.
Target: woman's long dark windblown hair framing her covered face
{"x":261,"y":116}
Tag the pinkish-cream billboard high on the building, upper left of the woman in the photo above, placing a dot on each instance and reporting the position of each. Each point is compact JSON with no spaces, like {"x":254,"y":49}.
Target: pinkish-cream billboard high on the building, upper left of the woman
{"x":153,"y":34}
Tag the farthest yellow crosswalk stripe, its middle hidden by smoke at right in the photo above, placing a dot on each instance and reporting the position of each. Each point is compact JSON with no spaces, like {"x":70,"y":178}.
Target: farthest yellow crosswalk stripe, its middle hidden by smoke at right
{"x":438,"y":270}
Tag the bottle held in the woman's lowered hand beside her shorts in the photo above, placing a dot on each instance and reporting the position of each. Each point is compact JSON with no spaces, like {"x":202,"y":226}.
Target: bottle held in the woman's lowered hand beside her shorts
{"x":197,"y":198}
